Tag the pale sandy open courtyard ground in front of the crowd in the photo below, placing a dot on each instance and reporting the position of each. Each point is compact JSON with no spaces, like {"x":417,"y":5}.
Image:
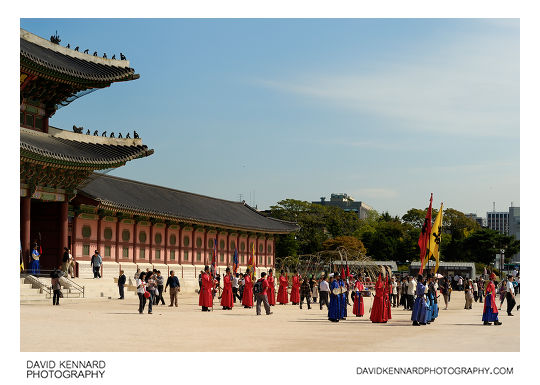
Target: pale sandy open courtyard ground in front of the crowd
{"x":114,"y":325}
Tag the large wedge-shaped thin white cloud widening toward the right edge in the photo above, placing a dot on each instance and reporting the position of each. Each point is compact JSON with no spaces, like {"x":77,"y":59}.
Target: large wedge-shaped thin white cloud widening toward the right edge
{"x":471,"y":87}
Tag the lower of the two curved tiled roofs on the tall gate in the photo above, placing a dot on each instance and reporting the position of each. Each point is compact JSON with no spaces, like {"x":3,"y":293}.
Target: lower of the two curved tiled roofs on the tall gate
{"x":84,"y":152}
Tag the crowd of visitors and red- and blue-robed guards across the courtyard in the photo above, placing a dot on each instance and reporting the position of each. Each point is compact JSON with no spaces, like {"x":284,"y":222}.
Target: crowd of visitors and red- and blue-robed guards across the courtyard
{"x":335,"y":291}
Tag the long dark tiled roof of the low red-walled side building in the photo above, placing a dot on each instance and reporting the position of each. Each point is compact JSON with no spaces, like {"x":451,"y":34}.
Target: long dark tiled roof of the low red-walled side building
{"x":151,"y":200}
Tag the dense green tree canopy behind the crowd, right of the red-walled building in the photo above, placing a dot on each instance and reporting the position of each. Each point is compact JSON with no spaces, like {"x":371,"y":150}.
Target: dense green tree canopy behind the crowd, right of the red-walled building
{"x":383,"y":237}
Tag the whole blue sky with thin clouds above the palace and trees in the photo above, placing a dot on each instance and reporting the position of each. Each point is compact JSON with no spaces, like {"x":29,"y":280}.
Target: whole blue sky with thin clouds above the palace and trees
{"x":387,"y":110}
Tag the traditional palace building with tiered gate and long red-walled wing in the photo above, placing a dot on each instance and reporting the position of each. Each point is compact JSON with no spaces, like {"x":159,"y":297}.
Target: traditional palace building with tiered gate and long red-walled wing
{"x":68,"y":201}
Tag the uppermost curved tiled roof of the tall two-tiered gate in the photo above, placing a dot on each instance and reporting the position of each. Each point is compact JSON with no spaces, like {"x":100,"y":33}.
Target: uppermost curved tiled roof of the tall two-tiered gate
{"x":74,"y":65}
